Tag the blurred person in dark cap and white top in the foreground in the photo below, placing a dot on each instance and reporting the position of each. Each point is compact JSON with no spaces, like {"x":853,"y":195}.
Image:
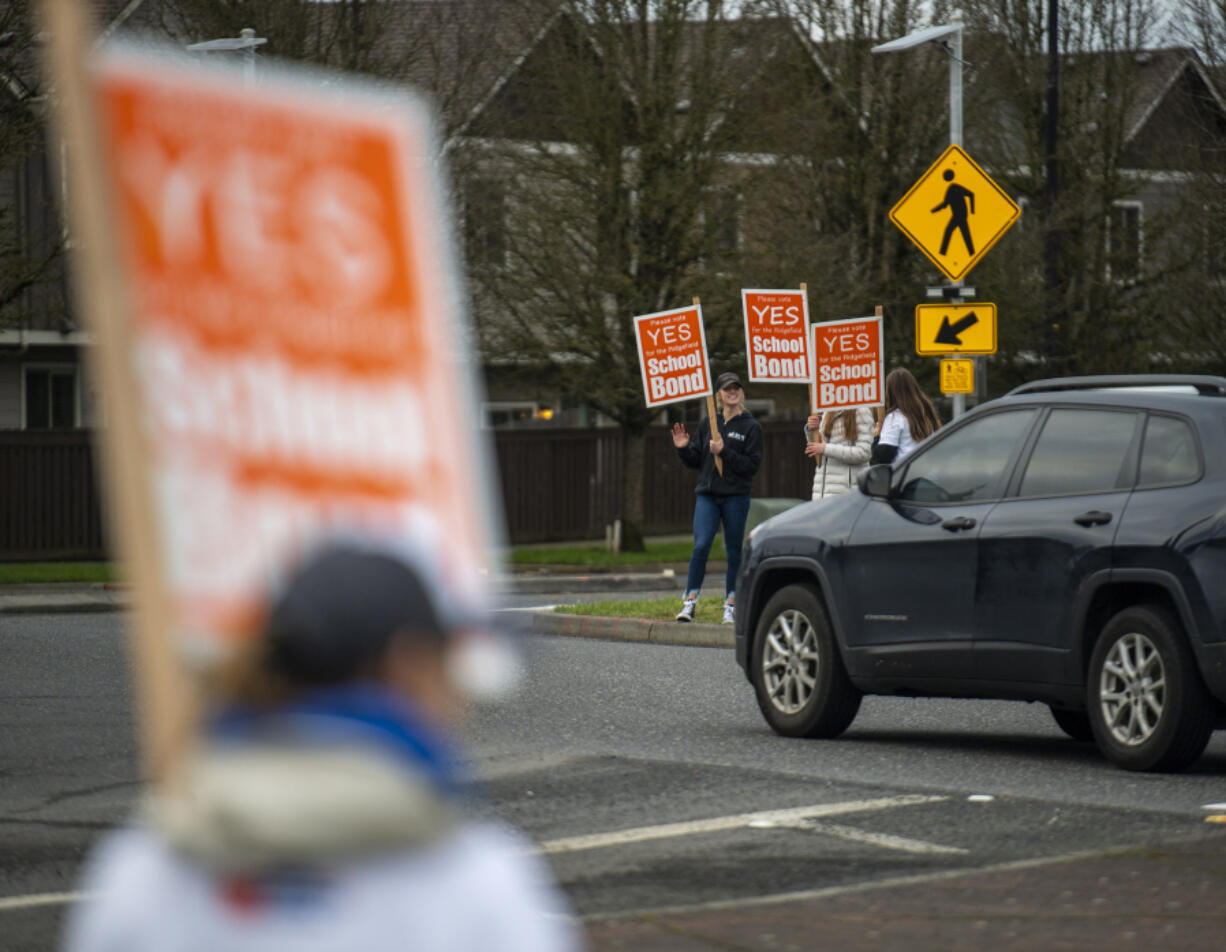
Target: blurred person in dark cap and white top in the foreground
{"x":327,"y":808}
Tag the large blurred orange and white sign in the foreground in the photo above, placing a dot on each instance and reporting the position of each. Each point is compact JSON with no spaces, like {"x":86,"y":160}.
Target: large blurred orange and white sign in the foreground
{"x":295,"y":331}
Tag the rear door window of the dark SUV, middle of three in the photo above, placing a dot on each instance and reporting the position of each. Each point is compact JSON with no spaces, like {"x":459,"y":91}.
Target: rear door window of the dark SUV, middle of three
{"x":1081,"y":451}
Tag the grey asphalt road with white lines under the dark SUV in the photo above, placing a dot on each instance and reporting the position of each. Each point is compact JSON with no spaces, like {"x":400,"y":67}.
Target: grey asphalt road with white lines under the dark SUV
{"x":650,"y":780}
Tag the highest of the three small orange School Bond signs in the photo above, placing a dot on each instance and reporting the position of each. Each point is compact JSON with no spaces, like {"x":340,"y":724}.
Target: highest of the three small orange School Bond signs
{"x":777,"y":335}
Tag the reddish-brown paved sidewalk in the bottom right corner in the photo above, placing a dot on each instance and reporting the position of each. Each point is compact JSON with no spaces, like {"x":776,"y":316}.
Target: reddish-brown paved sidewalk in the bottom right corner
{"x":1160,"y":897}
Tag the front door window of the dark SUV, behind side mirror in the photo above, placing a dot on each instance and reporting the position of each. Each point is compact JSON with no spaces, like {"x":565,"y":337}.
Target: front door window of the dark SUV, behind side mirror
{"x":968,"y":465}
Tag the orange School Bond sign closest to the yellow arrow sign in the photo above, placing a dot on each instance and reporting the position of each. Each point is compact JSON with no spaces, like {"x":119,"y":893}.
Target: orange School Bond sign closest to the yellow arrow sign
{"x":848,"y":367}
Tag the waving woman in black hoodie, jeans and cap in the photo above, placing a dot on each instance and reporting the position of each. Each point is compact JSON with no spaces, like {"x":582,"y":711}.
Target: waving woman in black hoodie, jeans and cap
{"x":722,"y":498}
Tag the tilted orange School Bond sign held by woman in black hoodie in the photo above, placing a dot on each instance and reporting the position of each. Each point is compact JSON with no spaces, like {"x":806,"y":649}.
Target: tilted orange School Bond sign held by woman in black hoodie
{"x":672,"y":356}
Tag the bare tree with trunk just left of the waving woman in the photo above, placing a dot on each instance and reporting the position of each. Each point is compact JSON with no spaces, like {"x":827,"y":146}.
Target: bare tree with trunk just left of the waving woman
{"x":616,"y":143}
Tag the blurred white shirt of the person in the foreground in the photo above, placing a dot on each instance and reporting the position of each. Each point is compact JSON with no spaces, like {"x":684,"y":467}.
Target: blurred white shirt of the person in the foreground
{"x":480,"y":890}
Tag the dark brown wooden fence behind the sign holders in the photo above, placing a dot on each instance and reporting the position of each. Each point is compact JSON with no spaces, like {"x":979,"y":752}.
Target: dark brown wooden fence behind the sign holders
{"x":557,"y":485}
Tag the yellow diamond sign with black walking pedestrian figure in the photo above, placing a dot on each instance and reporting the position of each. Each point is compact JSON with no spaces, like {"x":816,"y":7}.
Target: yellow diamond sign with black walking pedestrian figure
{"x":954,"y":214}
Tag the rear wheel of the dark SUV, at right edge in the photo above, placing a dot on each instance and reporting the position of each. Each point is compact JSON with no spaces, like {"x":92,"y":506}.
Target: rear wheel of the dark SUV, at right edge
{"x":1147,"y":704}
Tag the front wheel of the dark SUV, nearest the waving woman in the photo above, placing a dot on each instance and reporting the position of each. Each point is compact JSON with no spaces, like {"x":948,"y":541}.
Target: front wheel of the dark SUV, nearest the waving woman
{"x":799,"y":677}
